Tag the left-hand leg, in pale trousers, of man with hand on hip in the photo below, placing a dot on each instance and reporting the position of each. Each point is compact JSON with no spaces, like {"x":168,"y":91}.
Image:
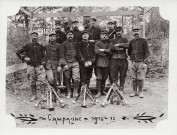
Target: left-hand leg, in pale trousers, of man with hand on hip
{"x":32,"y":77}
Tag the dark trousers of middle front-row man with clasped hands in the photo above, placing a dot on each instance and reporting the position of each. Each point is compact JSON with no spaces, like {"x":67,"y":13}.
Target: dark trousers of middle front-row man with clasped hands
{"x":85,"y":74}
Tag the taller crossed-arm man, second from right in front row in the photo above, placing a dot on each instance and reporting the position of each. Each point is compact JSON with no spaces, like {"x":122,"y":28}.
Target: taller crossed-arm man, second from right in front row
{"x":119,"y":63}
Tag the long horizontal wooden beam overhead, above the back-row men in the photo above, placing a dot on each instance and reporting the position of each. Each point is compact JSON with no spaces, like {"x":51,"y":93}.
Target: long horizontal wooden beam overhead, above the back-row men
{"x":75,"y":14}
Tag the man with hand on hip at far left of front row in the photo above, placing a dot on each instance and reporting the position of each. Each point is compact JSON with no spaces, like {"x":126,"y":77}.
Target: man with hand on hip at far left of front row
{"x":35,"y":56}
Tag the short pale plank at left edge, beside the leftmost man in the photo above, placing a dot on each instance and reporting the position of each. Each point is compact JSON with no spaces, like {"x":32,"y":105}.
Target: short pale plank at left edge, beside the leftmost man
{"x":15,"y":68}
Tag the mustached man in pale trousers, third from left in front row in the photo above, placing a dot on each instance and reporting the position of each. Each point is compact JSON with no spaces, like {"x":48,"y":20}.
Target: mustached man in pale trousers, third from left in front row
{"x":68,"y":59}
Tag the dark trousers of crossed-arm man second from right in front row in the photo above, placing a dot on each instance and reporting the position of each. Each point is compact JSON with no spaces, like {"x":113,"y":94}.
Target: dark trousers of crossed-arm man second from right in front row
{"x":118,"y":66}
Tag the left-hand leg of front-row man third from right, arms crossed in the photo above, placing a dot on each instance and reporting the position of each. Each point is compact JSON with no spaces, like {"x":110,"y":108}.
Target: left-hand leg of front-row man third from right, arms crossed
{"x":99,"y":74}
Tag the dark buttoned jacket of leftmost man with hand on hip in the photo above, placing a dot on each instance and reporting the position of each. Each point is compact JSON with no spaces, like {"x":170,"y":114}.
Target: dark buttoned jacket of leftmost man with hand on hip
{"x":34,"y":51}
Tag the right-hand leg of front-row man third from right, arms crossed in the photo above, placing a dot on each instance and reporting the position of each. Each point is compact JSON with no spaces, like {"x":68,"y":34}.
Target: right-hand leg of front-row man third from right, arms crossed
{"x":103,"y":83}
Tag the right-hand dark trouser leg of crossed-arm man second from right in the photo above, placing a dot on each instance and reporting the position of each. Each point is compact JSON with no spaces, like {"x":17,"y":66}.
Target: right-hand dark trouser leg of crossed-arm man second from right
{"x":123,"y":72}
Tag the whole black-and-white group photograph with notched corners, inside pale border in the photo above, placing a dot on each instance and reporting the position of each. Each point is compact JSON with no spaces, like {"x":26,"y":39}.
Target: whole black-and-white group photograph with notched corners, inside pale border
{"x":87,"y":67}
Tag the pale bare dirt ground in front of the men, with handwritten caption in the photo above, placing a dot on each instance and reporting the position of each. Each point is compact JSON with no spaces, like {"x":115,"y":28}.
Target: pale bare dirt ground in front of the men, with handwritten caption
{"x":153,"y":105}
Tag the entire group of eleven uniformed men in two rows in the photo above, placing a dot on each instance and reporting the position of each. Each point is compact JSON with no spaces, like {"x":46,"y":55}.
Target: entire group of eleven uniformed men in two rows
{"x":79,"y":53}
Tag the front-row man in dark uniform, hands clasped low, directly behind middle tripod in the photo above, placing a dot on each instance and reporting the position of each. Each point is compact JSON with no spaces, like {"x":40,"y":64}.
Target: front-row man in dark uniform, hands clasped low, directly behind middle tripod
{"x":86,"y":57}
